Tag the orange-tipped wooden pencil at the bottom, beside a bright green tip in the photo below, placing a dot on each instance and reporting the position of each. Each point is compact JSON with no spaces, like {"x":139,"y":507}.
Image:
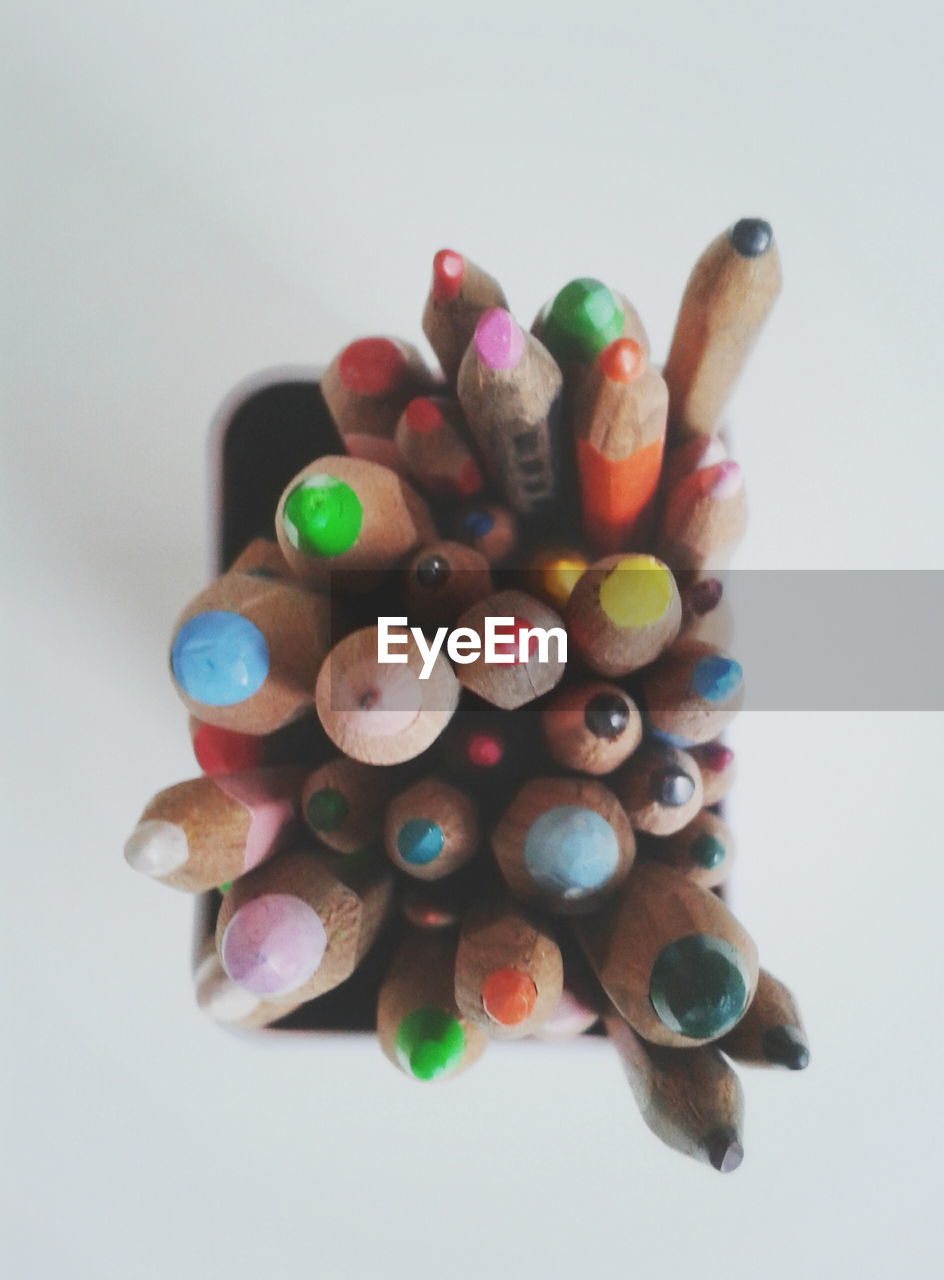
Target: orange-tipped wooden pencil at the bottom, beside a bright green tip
{"x":510,"y":973}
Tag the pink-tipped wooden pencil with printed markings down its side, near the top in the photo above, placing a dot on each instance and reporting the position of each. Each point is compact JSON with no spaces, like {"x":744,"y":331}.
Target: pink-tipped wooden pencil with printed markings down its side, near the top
{"x":510,"y":388}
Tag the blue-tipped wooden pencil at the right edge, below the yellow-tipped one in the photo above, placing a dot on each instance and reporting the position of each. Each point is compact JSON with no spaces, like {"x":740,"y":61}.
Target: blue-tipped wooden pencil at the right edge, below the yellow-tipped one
{"x":693,"y":693}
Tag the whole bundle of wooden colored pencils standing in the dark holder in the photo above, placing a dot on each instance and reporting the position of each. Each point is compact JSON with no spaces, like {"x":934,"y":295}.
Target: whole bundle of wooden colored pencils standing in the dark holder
{"x":507,"y":843}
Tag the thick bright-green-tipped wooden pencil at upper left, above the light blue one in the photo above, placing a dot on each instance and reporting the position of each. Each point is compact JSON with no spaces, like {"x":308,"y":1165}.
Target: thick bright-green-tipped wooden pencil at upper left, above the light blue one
{"x":349,"y":515}
